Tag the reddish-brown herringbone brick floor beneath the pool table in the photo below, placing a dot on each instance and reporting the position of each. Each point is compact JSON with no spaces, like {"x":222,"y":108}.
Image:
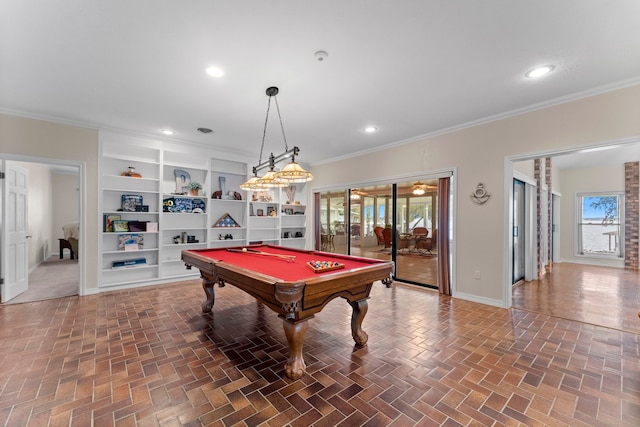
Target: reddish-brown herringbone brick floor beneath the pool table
{"x":149,"y":357}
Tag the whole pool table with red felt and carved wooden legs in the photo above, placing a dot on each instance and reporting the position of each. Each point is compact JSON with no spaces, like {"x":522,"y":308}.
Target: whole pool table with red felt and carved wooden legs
{"x":284,"y":280}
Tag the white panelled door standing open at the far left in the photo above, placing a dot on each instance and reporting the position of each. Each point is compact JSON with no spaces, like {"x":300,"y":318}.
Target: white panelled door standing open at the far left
{"x":15,"y":247}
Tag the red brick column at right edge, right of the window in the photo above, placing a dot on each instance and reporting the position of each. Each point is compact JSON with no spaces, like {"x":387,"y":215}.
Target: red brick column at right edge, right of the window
{"x":631,"y":214}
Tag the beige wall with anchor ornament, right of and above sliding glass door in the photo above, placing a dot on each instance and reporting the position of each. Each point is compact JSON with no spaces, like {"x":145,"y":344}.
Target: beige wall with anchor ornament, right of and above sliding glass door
{"x":479,"y":154}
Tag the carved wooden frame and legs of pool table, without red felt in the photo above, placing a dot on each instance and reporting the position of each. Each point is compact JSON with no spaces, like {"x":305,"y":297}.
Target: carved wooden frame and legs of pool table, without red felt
{"x":296,"y":301}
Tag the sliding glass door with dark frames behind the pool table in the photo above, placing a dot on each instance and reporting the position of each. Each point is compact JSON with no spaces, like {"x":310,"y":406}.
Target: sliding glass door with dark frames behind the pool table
{"x":391,"y":221}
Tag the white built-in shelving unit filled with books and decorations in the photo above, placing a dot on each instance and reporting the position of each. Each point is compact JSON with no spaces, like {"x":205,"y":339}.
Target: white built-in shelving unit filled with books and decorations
{"x":153,"y":175}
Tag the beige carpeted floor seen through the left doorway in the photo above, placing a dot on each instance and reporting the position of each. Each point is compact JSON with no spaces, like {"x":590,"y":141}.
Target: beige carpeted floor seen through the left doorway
{"x":53,"y":278}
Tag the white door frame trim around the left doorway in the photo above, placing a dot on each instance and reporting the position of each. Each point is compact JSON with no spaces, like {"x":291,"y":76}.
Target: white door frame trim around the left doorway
{"x":82,"y":256}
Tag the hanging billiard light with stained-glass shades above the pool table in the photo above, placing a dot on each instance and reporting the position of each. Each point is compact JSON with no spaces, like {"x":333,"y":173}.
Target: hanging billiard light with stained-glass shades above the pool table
{"x":291,"y":173}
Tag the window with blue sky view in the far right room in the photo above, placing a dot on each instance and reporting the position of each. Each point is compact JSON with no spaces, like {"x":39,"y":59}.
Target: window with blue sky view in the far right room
{"x":600,"y":230}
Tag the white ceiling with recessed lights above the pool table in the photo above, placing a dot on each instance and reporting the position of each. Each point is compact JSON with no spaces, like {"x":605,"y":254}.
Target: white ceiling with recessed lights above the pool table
{"x":409,"y":68}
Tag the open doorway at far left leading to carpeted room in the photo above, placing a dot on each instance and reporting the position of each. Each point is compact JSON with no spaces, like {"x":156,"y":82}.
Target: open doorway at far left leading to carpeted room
{"x":53,"y":205}
